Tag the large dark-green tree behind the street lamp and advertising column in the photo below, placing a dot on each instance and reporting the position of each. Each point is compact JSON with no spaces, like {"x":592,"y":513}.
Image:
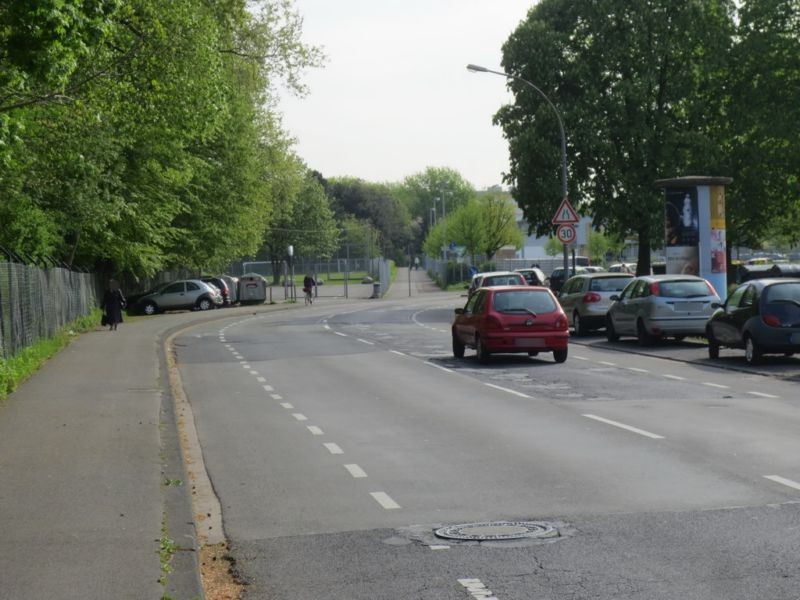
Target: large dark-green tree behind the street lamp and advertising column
{"x":631,"y":81}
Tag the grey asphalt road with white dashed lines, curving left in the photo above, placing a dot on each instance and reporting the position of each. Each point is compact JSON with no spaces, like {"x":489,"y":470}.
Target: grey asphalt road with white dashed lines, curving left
{"x":339,"y":440}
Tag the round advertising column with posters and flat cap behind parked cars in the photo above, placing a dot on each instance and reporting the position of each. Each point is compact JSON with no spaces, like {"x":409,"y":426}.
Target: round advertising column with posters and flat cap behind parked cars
{"x":694,"y":218}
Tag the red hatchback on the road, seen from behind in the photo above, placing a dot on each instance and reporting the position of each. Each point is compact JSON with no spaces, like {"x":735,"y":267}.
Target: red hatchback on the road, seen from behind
{"x":508,"y":319}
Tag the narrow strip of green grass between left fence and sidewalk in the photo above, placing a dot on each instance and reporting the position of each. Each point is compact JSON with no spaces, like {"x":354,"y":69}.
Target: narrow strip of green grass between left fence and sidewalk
{"x":17,"y":368}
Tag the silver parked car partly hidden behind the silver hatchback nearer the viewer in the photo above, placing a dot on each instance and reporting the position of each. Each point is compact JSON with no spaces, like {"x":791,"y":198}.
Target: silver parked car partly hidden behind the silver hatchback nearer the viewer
{"x":585,"y":298}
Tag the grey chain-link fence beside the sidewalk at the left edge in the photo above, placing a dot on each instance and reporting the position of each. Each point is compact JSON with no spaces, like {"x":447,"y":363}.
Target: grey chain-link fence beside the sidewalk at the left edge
{"x":36,"y":303}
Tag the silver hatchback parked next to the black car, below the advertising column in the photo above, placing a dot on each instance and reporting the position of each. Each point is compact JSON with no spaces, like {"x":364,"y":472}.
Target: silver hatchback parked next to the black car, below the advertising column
{"x":655,"y":306}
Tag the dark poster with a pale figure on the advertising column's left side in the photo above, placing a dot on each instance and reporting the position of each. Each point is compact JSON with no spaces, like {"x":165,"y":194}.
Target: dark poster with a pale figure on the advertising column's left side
{"x":682,"y":223}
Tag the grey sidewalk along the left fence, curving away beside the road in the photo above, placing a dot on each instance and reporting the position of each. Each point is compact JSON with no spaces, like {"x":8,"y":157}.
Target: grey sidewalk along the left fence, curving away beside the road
{"x":89,"y":461}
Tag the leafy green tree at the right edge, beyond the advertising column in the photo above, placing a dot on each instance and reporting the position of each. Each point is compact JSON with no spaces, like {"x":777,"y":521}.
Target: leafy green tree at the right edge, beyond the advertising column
{"x":760,"y":124}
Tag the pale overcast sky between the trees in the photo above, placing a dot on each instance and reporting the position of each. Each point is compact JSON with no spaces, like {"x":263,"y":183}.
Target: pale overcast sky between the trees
{"x":395,"y":97}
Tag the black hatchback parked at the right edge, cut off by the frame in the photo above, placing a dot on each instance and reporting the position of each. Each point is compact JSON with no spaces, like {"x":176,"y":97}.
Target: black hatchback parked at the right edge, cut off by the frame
{"x":762,"y":316}
